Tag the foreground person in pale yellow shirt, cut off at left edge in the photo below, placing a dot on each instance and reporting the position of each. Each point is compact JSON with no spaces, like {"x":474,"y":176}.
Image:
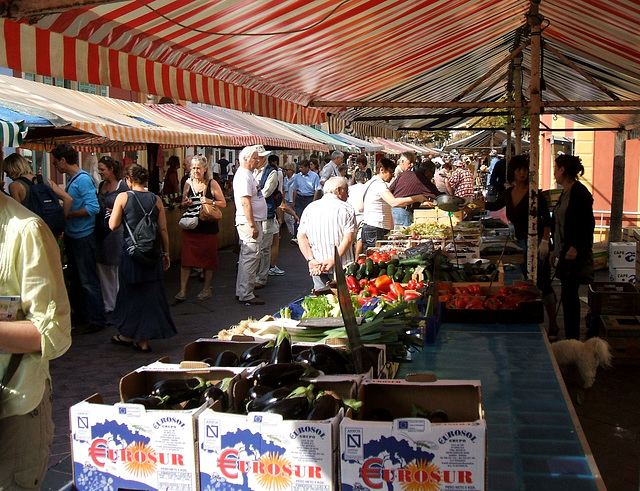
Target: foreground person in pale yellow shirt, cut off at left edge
{"x":30,"y":270}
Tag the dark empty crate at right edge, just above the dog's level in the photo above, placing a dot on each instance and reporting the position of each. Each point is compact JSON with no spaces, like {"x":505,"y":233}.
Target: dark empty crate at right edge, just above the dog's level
{"x":622,"y":332}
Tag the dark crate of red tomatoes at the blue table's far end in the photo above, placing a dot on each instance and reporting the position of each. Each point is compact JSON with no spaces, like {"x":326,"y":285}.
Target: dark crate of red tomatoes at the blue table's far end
{"x":508,"y":304}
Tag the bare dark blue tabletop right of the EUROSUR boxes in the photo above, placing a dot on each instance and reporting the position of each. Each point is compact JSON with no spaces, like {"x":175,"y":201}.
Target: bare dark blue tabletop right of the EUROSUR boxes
{"x":534,"y":438}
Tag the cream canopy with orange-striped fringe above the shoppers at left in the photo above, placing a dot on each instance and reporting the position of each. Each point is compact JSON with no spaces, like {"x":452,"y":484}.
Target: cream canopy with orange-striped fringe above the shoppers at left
{"x":100,"y":122}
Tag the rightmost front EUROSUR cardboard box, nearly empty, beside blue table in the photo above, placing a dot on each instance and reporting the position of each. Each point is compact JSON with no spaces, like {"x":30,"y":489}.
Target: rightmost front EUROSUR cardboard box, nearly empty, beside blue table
{"x":412,"y":453}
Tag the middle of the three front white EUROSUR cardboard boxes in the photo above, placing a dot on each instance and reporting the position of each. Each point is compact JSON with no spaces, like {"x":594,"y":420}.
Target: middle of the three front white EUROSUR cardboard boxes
{"x":261,"y":451}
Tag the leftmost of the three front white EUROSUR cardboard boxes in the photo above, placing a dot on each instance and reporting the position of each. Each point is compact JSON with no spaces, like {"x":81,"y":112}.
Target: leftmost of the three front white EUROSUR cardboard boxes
{"x":130,"y":447}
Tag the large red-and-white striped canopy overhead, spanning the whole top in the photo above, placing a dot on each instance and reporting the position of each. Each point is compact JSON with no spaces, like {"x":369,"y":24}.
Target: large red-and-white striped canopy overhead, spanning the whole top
{"x":398,"y":64}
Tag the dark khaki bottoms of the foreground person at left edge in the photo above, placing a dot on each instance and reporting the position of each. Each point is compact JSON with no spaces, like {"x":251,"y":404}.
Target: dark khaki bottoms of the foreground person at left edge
{"x":25,"y":442}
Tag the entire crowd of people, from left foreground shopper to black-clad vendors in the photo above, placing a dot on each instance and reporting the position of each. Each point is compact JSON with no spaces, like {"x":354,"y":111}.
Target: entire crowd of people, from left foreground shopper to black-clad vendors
{"x":341,"y":206}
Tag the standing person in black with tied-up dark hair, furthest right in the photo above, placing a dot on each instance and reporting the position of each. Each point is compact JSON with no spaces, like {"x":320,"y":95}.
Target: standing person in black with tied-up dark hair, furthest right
{"x":573,"y":238}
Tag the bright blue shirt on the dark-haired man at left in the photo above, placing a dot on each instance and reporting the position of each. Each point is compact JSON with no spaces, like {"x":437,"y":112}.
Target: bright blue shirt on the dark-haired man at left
{"x":83,"y":191}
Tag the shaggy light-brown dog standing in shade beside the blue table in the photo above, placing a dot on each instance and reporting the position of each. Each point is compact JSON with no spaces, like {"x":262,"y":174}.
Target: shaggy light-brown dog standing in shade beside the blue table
{"x":586,"y":356}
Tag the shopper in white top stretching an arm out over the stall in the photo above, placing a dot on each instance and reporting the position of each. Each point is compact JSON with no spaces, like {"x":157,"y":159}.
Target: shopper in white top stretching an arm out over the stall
{"x":377,"y":203}
